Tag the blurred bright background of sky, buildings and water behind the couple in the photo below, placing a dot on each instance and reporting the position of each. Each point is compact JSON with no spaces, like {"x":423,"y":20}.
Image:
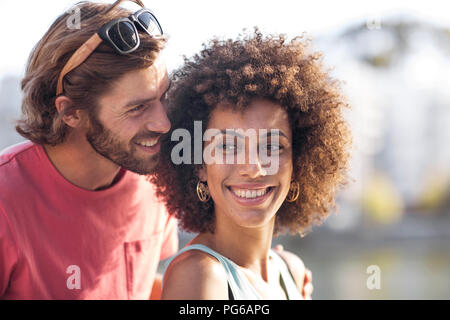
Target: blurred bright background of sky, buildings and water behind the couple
{"x":393,"y":60}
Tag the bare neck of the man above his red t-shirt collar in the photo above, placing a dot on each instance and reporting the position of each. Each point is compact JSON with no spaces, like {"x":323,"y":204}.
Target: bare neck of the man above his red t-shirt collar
{"x":80,"y":164}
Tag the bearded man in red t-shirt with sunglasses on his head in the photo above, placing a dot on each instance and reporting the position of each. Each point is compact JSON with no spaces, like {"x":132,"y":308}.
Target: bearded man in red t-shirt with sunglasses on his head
{"x":78,"y":219}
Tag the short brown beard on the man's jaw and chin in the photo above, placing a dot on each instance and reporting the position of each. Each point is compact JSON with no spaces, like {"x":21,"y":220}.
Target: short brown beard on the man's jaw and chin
{"x":124,"y":154}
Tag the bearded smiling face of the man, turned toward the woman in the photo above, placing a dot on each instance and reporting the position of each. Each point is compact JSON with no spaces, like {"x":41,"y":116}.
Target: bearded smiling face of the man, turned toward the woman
{"x":131,"y":118}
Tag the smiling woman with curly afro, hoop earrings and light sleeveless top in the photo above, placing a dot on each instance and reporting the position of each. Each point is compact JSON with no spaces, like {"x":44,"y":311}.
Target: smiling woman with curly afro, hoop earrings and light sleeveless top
{"x":249,"y":95}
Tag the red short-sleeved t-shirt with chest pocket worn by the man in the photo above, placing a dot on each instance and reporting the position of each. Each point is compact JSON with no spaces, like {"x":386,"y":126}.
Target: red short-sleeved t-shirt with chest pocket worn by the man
{"x":59,"y":241}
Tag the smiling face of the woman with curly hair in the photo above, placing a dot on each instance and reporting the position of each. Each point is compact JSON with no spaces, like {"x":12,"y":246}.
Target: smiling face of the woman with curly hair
{"x":247,"y":192}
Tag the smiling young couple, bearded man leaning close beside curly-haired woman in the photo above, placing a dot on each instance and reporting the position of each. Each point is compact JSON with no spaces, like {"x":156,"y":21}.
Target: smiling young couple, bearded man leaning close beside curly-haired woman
{"x":90,"y":204}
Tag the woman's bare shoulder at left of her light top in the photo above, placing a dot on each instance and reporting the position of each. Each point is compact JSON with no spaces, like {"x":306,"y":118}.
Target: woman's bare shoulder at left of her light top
{"x":195,"y":275}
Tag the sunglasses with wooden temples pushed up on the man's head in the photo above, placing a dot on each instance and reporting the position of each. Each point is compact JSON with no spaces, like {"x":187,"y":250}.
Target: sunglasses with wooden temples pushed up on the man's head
{"x":121,"y":34}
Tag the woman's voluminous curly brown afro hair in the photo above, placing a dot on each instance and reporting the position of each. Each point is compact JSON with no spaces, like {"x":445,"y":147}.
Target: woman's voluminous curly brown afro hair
{"x":236,"y":72}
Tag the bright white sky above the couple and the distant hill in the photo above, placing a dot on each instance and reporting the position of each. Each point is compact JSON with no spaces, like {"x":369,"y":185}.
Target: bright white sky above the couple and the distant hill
{"x":190,"y":23}
